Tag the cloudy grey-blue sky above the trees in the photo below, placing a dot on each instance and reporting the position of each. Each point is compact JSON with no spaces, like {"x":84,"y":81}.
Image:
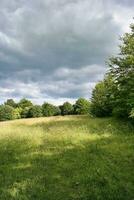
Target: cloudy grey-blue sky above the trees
{"x":56,"y":50}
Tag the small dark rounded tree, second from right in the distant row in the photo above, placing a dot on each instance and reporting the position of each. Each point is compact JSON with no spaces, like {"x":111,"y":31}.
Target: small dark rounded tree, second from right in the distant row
{"x":66,"y":109}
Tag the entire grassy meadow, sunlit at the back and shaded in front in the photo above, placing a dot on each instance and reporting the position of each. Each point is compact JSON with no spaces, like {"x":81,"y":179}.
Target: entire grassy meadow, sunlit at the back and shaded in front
{"x":66,"y":158}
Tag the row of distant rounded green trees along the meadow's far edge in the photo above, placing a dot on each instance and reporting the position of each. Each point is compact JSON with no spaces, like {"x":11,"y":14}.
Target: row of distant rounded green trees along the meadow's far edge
{"x":25,"y":109}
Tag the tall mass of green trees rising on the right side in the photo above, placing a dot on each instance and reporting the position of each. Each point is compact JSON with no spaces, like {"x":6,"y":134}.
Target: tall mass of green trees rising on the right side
{"x":115,"y":94}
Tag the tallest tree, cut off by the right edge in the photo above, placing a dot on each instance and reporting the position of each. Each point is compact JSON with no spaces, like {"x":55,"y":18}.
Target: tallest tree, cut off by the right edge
{"x":122,"y":70}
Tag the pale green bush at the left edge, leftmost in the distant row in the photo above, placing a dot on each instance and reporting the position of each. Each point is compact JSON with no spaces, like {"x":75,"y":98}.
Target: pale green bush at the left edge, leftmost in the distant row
{"x":6,"y":112}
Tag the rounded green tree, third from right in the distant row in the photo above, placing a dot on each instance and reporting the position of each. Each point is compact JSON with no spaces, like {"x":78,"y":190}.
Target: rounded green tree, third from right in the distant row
{"x":48,"y":110}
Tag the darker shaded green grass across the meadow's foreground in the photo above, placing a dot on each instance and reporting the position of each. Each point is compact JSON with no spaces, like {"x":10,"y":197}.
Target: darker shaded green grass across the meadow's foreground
{"x":97,"y":170}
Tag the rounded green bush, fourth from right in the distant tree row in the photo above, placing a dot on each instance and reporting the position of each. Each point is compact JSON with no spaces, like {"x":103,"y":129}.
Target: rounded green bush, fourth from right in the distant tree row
{"x":35,"y":111}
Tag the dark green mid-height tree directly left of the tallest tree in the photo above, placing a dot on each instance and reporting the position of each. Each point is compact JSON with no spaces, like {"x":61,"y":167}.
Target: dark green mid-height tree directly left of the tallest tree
{"x":102,"y":98}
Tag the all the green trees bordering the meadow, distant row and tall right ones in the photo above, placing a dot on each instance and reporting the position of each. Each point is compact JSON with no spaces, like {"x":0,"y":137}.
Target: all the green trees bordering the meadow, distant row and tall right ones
{"x":113,"y":96}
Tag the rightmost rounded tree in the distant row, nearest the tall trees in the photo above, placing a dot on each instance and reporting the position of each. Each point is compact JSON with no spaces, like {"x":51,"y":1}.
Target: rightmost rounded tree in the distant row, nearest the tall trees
{"x":82,"y":106}
